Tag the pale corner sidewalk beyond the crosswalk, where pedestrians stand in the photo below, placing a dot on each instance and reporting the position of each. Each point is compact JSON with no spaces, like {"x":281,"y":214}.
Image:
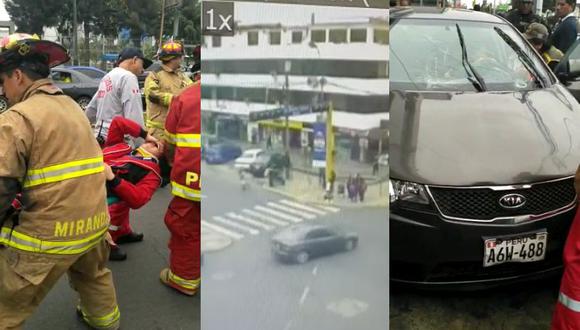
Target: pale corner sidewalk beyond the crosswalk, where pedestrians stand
{"x":306,"y":188}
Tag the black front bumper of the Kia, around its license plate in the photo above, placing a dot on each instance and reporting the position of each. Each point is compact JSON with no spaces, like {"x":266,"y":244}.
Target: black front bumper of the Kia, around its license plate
{"x":430,"y":251}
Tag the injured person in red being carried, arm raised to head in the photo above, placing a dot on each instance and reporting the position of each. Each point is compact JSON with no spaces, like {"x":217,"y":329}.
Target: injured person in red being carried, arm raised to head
{"x":133,"y":176}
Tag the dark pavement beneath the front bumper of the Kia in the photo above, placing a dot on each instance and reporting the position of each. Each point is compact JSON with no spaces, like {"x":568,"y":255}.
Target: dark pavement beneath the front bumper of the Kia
{"x":527,"y":306}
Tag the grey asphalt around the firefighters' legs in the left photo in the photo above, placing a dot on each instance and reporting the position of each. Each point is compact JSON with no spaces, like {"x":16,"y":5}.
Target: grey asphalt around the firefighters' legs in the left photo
{"x":144,"y":302}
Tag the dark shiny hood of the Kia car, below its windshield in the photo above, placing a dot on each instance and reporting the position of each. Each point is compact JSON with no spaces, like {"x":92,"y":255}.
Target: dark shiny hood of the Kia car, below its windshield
{"x":489,"y":138}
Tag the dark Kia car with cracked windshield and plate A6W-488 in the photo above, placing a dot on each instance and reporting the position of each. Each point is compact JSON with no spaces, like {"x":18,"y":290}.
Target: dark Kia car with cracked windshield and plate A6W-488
{"x":484,"y":144}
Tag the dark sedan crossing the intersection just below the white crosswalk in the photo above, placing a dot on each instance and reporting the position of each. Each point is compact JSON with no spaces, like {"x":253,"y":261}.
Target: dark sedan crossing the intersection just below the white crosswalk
{"x":300,"y":243}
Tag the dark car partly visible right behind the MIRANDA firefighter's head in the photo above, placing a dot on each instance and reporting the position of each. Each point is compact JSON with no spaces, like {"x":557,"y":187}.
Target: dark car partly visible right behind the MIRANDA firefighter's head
{"x":75,"y":84}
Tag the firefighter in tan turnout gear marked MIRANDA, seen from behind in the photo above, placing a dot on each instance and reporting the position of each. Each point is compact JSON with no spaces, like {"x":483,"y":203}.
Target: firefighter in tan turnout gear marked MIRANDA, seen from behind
{"x":49,"y":156}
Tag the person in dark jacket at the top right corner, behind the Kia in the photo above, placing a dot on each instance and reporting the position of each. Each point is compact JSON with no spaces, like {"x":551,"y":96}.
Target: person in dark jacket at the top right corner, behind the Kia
{"x":565,"y":31}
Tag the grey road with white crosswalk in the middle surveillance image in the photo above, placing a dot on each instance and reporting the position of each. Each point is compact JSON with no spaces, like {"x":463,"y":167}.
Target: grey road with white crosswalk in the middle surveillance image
{"x":254,"y":291}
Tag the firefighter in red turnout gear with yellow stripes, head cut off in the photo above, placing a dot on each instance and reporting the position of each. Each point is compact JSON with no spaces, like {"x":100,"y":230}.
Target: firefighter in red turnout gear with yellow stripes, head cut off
{"x":183,"y":218}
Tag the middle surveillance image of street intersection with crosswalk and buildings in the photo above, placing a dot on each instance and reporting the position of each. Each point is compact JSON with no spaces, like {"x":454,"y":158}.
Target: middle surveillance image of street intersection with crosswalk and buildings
{"x":294,"y":216}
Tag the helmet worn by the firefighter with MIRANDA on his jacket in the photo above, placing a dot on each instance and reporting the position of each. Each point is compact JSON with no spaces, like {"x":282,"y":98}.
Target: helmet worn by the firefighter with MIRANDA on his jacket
{"x":16,"y":47}
